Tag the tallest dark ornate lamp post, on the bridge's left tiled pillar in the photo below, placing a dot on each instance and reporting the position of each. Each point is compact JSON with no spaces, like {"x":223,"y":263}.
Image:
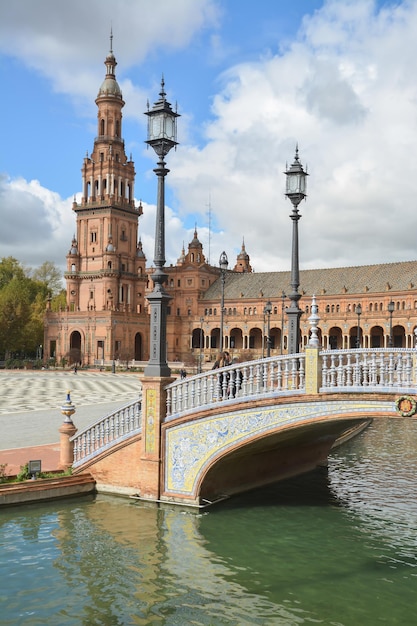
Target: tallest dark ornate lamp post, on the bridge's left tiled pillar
{"x":162,"y":136}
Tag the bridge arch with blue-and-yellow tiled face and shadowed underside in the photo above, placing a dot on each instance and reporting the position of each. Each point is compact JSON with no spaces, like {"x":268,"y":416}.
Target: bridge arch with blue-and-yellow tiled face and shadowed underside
{"x":255,"y":444}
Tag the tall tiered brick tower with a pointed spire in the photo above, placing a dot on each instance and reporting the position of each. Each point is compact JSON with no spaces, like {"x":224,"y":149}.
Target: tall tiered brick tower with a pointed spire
{"x":105,"y":278}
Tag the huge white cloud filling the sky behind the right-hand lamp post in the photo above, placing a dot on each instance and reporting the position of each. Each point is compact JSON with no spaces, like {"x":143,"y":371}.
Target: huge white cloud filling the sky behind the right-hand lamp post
{"x":344,"y":92}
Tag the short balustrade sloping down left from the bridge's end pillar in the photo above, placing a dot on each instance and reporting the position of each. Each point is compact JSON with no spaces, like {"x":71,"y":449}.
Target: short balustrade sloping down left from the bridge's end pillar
{"x":107,"y":432}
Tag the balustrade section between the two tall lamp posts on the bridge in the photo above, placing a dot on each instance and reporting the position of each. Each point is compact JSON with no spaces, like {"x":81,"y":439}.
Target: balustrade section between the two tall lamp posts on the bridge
{"x":251,"y":379}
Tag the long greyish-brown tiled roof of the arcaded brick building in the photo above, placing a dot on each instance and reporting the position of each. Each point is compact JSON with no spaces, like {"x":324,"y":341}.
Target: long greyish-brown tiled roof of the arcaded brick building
{"x":387,"y":277}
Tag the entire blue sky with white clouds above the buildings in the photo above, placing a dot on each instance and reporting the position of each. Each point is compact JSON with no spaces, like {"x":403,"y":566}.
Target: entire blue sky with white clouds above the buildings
{"x":251,"y":79}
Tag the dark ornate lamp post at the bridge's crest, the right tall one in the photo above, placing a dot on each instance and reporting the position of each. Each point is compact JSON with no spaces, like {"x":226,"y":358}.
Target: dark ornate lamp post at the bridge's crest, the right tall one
{"x":295,"y":191}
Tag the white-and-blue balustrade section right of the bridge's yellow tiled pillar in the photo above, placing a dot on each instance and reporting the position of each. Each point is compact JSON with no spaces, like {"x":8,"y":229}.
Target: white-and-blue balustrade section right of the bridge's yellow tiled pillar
{"x":368,"y":368}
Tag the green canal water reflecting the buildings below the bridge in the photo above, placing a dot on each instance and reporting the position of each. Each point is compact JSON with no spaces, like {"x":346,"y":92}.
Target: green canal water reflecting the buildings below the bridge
{"x":335,"y":547}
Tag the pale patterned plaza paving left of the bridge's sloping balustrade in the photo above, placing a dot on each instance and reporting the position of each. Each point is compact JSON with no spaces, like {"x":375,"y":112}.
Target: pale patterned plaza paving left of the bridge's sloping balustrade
{"x":30,"y":410}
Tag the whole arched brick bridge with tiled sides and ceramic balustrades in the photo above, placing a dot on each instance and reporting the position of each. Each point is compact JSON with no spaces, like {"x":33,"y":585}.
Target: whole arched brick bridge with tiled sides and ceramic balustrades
{"x":205,"y":437}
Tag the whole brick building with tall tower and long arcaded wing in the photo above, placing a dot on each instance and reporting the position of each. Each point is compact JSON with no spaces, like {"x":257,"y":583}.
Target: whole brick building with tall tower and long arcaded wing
{"x":107,"y":316}
